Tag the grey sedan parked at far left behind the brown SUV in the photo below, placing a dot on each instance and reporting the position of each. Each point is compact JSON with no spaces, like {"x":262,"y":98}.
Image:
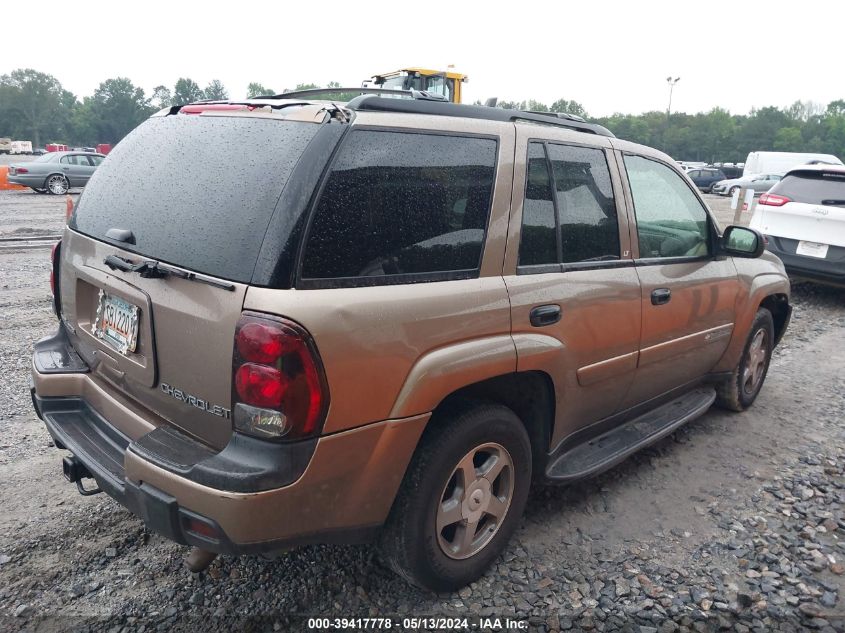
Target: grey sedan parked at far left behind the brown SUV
{"x":56,"y":172}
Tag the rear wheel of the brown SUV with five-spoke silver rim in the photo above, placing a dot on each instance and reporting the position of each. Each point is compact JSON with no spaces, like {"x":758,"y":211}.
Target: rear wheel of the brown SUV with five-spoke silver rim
{"x":462,"y":497}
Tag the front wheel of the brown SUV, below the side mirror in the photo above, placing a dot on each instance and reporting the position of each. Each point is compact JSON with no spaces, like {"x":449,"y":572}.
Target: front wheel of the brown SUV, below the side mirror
{"x":739,"y":393}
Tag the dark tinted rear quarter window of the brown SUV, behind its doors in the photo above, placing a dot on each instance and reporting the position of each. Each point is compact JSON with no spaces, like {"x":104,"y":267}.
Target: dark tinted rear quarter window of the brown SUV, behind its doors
{"x":401,"y":208}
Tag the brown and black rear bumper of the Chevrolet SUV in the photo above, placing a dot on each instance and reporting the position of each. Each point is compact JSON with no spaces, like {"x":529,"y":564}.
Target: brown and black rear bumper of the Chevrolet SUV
{"x":251,"y":497}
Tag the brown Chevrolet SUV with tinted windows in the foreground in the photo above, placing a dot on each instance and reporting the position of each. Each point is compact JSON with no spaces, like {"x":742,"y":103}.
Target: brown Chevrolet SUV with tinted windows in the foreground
{"x":375,"y":335}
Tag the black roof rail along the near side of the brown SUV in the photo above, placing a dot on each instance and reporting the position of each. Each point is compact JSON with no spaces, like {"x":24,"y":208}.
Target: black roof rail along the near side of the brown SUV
{"x":374,"y":103}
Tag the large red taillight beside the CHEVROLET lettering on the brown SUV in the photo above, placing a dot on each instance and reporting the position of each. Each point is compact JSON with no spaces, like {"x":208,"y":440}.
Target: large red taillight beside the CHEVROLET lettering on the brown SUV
{"x":279,"y":389}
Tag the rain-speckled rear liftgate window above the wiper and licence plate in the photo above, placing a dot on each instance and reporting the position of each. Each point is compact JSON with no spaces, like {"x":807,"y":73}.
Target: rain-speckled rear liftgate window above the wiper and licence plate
{"x":196,"y":191}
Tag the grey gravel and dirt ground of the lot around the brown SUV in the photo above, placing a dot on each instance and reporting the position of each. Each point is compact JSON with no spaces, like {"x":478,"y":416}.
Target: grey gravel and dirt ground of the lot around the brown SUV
{"x":735,"y":522}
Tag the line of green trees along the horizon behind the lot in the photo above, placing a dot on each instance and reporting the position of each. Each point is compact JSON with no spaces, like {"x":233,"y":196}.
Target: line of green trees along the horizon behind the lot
{"x":34,"y":106}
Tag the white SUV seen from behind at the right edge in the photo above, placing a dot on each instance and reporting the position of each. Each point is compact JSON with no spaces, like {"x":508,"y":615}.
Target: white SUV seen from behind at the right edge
{"x":803,"y":217}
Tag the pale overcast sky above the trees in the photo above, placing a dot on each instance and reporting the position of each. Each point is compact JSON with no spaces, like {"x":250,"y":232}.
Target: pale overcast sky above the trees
{"x":611,"y":57}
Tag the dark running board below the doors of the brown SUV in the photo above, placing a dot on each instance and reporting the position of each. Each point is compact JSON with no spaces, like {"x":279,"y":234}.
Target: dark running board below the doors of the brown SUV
{"x":605,"y":451}
